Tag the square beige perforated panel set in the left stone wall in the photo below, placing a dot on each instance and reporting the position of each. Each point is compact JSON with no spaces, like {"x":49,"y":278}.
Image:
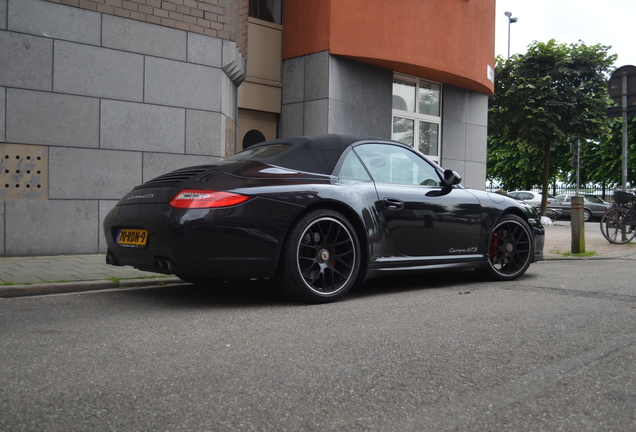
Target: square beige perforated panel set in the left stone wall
{"x":24,"y":172}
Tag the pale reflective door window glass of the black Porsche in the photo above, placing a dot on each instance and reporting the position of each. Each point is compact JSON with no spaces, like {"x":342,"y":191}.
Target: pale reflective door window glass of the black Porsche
{"x":395,"y":164}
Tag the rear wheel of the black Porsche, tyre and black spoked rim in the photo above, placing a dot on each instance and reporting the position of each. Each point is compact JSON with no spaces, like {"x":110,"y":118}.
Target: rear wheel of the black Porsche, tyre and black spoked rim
{"x":320,"y":259}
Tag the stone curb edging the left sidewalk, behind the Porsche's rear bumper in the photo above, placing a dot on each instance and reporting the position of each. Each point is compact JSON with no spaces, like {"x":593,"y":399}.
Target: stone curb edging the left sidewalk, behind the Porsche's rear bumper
{"x":81,"y":286}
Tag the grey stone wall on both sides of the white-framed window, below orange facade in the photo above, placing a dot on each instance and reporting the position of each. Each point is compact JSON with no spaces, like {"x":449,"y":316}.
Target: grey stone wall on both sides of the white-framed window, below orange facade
{"x":329,"y":94}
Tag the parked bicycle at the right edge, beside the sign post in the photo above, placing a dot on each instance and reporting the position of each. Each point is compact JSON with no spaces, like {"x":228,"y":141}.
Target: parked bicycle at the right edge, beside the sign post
{"x":618,"y":224}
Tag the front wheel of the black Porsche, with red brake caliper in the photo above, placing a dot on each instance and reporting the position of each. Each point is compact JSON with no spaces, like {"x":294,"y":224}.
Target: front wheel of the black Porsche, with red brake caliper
{"x":510,"y":249}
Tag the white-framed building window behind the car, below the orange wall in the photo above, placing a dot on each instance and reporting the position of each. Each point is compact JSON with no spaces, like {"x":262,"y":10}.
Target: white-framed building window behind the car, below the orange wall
{"x":417,"y":114}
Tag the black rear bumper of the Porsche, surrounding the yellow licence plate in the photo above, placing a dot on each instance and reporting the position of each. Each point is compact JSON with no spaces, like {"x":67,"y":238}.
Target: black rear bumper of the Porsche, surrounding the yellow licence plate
{"x":238,"y":242}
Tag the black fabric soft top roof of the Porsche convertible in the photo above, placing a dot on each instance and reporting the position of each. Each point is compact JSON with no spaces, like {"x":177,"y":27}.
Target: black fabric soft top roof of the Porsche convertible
{"x":316,"y":154}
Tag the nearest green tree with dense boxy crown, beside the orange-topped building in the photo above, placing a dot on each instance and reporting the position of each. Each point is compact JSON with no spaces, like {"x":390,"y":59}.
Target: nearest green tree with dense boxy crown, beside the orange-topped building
{"x":546,"y":99}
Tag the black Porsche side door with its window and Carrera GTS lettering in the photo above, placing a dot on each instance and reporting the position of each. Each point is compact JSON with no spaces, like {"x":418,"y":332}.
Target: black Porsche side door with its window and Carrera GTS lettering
{"x":425,"y":217}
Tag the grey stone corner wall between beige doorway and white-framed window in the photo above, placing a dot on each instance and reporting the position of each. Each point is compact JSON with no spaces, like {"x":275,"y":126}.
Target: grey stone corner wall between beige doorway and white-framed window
{"x":329,"y":94}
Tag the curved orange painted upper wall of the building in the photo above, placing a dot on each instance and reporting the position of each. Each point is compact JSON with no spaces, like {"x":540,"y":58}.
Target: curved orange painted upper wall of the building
{"x":449,"y":41}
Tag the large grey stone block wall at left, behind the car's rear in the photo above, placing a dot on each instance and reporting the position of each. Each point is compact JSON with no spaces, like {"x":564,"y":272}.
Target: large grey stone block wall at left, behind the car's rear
{"x":116,"y":102}
